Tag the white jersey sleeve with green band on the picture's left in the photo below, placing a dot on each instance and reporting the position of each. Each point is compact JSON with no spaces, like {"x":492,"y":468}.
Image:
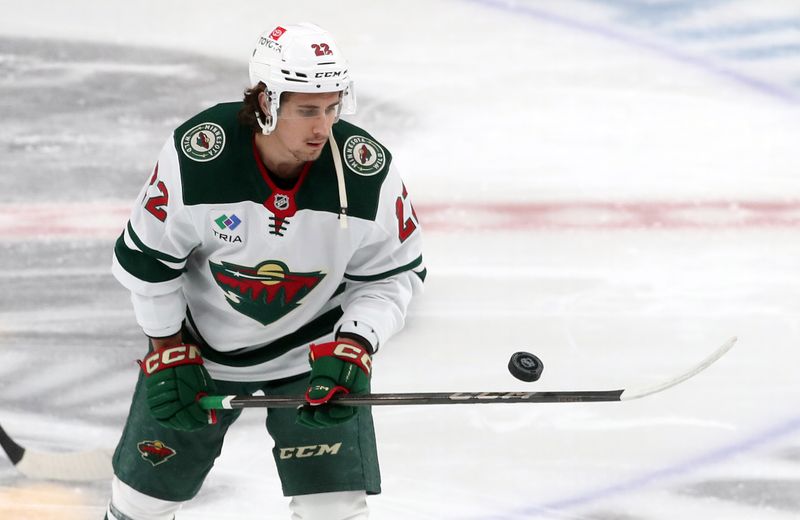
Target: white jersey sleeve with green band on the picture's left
{"x":151,"y":253}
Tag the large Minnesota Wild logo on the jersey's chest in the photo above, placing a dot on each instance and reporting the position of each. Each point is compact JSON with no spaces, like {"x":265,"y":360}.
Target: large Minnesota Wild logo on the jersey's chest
{"x":266,"y":292}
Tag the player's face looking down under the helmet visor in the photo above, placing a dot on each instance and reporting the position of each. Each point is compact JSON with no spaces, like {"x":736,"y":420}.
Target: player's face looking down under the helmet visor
{"x":304,"y":123}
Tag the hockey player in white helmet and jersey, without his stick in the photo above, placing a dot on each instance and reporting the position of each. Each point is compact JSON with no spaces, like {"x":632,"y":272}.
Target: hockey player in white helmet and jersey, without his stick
{"x":271,"y":239}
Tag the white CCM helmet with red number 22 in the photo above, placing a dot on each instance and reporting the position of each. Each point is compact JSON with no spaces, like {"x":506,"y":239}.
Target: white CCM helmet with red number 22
{"x":299,"y":58}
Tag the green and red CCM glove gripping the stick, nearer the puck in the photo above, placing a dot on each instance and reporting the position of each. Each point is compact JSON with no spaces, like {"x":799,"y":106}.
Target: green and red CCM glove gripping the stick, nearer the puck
{"x":336,"y":367}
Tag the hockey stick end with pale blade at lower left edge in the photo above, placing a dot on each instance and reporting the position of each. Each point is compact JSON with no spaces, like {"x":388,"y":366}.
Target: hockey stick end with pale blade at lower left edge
{"x":74,"y":466}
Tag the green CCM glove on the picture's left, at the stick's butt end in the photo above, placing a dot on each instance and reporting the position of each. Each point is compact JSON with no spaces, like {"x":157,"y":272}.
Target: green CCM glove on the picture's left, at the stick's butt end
{"x":175,"y":381}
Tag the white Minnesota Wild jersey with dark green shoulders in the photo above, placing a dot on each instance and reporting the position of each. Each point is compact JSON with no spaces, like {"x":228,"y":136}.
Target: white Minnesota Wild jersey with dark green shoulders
{"x":264,"y":271}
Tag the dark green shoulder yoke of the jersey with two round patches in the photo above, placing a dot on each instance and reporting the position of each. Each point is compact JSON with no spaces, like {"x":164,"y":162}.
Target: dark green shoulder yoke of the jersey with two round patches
{"x":216,"y":156}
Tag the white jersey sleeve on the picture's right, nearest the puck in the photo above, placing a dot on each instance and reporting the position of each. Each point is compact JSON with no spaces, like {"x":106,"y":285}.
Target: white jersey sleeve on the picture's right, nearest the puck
{"x":386,"y":271}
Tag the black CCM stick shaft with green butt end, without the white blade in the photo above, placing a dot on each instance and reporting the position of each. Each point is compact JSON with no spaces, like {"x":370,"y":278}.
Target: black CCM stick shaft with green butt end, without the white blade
{"x":293,"y":401}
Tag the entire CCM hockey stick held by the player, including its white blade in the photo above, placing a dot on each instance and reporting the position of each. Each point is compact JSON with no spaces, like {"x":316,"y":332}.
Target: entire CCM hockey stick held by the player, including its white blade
{"x":624,"y":394}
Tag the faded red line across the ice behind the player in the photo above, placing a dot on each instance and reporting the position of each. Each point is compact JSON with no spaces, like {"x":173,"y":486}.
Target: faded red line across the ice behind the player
{"x":106,"y":220}
